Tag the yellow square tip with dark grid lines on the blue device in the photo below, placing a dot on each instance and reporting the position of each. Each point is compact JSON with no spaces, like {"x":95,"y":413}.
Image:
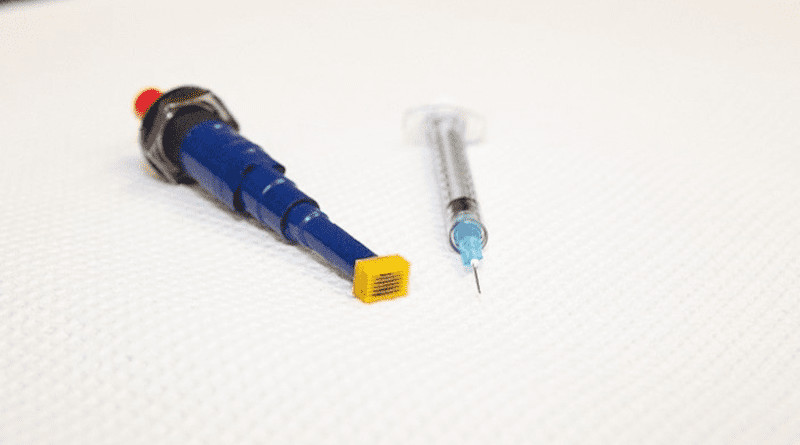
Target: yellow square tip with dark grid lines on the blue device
{"x":381,"y":278}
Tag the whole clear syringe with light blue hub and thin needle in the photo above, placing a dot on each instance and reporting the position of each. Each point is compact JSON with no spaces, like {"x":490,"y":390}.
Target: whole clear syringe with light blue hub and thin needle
{"x":444,"y":130}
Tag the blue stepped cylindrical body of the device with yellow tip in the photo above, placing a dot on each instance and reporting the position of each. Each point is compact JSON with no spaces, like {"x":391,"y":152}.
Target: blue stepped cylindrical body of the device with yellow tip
{"x":245,"y":178}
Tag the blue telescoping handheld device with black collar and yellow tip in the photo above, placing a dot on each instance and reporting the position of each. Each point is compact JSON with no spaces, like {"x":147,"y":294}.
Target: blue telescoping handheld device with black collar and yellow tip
{"x":201,"y":147}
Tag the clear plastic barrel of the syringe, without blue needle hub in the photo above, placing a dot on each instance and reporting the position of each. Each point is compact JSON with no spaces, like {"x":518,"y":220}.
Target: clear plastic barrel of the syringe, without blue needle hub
{"x":444,"y":133}
